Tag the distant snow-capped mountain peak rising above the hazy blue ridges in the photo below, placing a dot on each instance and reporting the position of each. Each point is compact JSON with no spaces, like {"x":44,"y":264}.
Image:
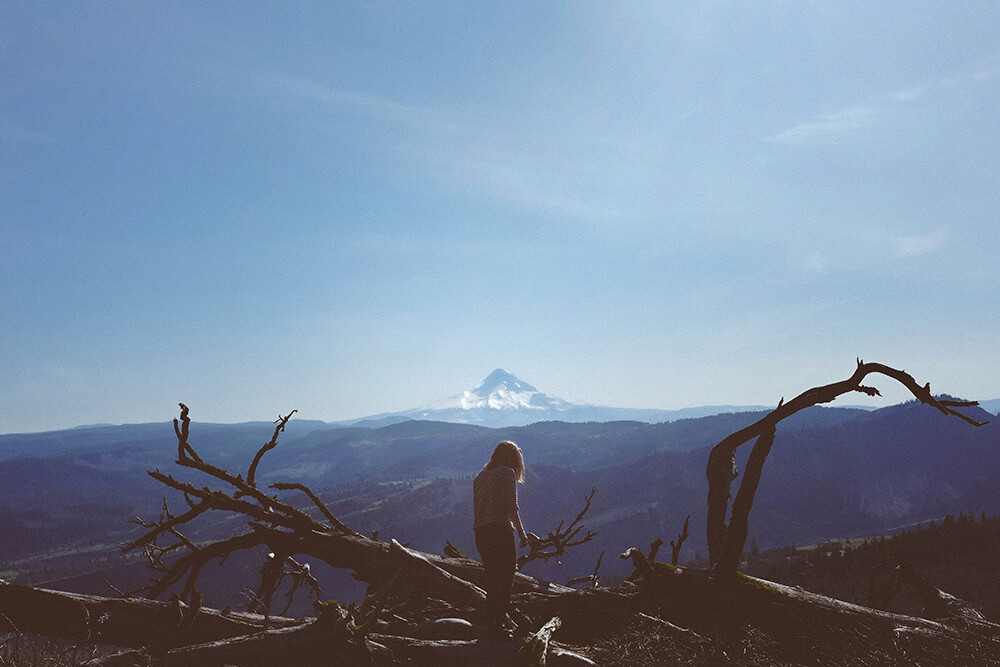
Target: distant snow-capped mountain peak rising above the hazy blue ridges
{"x":503,"y":399}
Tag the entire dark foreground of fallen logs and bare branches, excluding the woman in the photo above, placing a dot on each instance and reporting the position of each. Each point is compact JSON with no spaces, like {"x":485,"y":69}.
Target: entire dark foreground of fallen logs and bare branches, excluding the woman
{"x":423,"y":609}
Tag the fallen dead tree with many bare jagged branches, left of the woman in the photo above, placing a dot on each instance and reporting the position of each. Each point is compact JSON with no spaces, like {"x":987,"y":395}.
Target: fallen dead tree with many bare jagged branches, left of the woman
{"x":288,"y":532}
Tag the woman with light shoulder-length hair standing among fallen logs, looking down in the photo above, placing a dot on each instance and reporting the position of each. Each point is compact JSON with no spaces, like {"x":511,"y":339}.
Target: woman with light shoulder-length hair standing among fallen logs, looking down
{"x":494,"y":494}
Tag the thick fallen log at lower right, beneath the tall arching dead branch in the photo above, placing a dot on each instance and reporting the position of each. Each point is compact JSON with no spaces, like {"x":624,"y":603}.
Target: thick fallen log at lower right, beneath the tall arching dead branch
{"x":722,"y":608}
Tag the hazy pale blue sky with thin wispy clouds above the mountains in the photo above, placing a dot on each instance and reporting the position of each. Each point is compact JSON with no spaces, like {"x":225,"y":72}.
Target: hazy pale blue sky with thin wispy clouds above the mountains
{"x":355,"y":208}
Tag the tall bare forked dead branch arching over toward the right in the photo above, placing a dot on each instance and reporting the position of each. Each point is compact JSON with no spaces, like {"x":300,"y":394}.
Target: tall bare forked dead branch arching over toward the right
{"x":726,"y":541}
